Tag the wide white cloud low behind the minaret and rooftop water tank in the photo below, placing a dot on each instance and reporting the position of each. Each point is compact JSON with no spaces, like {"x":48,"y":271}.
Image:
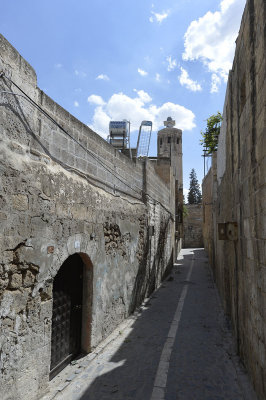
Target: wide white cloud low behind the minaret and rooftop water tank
{"x":136,"y":109}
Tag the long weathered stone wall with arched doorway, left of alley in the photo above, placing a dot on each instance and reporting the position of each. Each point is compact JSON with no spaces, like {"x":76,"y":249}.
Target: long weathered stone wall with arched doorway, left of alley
{"x":64,"y":190}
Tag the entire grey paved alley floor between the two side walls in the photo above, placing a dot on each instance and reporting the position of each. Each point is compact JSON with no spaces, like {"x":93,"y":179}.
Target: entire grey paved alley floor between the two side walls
{"x":178,"y":346}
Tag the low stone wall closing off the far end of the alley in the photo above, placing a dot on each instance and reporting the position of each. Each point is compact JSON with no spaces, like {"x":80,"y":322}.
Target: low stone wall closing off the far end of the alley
{"x":193,"y":226}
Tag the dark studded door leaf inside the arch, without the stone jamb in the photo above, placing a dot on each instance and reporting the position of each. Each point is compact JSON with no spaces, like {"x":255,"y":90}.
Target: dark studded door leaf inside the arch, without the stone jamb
{"x":67,"y":314}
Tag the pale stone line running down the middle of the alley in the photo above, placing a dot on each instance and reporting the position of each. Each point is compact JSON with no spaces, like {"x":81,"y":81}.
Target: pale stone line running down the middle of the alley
{"x":159,"y":386}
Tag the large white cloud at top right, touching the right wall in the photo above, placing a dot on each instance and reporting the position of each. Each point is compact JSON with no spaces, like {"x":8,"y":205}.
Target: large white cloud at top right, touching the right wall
{"x":211,"y":38}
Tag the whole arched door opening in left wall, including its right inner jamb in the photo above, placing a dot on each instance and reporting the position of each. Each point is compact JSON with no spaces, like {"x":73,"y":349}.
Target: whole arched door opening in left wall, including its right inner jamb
{"x":71,"y":316}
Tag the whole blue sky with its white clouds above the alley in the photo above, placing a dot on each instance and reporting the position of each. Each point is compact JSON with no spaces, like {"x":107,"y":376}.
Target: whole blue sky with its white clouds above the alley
{"x":141,"y":59}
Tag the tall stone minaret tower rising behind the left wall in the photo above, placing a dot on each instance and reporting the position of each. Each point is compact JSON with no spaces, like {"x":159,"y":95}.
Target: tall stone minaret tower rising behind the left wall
{"x":169,"y":146}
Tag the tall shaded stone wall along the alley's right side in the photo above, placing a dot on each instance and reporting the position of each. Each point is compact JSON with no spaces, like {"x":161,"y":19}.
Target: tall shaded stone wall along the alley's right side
{"x":239,"y":261}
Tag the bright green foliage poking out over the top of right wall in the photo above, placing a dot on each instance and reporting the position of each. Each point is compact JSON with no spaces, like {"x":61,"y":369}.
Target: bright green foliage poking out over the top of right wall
{"x":211,"y":134}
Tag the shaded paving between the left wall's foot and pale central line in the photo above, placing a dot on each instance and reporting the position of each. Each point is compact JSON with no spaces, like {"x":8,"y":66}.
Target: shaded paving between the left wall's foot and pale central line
{"x":132,"y":369}
